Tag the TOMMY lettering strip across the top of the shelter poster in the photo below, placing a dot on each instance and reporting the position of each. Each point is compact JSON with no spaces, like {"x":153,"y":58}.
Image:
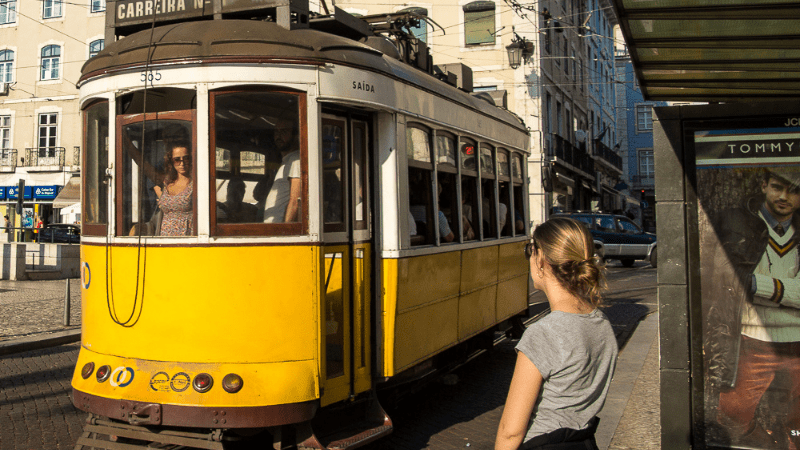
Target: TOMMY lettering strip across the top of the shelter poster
{"x":732,"y":147}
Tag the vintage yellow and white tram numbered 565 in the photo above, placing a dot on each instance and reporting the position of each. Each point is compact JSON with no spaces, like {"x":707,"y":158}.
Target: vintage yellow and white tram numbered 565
{"x":348,"y":219}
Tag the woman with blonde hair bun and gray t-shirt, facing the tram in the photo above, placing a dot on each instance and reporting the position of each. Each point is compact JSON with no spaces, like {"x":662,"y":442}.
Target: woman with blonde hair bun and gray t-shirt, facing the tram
{"x":565,"y":360}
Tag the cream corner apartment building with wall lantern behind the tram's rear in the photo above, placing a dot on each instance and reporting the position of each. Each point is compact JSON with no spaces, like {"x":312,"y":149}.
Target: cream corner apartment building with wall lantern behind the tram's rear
{"x":563,"y":89}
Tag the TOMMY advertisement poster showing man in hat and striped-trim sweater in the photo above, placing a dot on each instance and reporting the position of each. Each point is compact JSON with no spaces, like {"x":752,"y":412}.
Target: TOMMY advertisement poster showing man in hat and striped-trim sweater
{"x":748,"y":189}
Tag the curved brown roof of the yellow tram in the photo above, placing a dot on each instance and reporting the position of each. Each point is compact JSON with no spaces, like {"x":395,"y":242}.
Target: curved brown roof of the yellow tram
{"x":250,"y":41}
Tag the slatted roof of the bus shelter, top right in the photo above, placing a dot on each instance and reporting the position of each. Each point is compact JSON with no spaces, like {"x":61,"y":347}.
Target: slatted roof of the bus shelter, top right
{"x":713,"y":50}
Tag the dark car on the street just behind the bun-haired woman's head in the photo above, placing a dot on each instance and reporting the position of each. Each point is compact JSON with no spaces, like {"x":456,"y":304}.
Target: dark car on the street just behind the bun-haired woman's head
{"x":622,"y":238}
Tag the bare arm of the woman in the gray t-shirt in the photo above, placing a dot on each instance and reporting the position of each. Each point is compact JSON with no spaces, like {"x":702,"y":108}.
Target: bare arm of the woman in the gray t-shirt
{"x":522,"y":395}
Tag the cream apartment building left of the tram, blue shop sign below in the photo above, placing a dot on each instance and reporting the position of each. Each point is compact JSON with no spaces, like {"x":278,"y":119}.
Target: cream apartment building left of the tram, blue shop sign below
{"x":43,"y":45}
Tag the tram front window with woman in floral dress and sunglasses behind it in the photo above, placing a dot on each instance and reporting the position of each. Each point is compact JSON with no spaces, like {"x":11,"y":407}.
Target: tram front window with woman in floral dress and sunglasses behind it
{"x":158,"y":192}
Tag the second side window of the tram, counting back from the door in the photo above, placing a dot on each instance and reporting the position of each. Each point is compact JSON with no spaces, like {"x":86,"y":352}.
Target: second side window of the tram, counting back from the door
{"x":447,"y":177}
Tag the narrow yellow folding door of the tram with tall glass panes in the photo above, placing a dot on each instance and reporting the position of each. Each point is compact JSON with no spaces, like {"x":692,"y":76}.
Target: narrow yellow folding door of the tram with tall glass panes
{"x":347,"y":236}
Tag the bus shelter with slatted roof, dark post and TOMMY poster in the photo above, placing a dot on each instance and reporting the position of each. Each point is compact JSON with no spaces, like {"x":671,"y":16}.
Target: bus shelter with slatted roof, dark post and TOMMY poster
{"x":727,"y":161}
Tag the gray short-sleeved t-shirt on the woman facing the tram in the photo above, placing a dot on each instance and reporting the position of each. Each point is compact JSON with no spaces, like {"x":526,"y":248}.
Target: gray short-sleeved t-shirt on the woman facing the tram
{"x":576,"y":355}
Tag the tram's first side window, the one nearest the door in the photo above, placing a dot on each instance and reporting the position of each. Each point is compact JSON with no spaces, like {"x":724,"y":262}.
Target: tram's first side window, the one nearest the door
{"x":423,"y":170}
